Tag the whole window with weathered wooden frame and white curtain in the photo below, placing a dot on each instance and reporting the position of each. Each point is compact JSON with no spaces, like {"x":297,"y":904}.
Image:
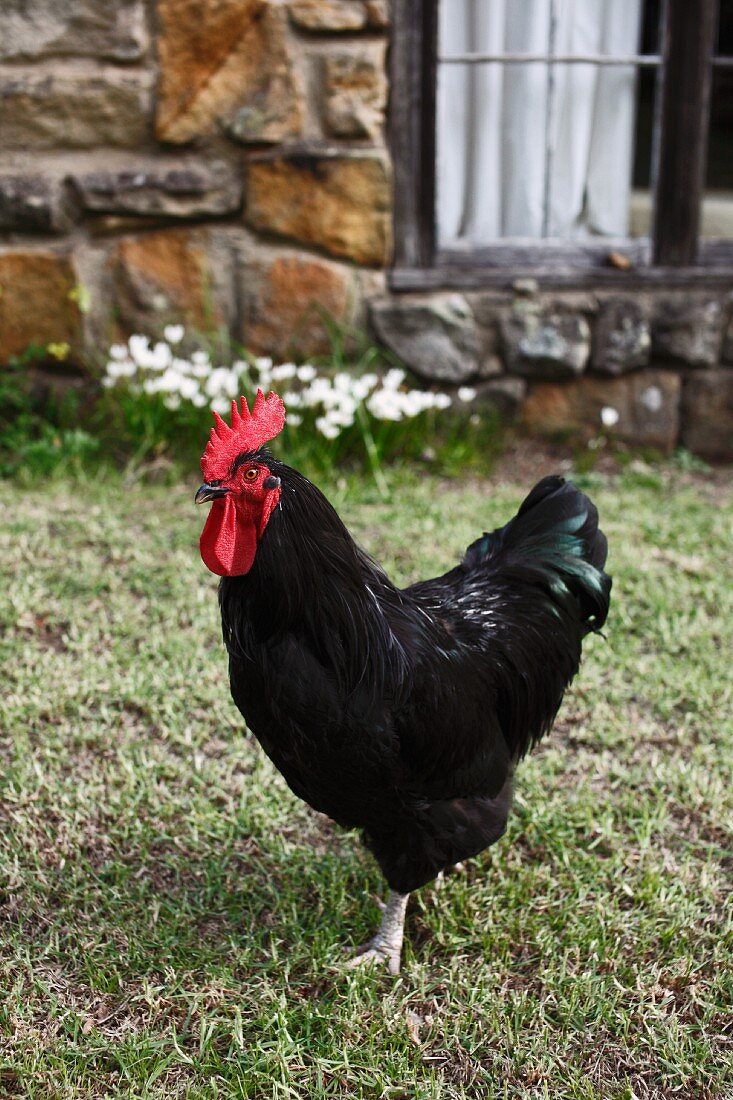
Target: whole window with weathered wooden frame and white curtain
{"x":561,"y":137}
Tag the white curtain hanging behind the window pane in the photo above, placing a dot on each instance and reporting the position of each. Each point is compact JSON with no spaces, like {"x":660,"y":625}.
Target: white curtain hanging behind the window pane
{"x":497,"y":123}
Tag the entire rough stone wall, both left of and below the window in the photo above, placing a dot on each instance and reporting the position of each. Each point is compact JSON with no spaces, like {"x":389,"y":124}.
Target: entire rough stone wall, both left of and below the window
{"x":223,"y":163}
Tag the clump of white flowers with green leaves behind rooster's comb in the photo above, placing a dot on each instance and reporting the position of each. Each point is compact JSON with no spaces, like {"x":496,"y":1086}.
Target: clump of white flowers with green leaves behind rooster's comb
{"x":354,"y":408}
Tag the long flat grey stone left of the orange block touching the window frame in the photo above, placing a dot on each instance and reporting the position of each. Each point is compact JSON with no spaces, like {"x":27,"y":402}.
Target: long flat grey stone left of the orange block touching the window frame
{"x":162,"y":190}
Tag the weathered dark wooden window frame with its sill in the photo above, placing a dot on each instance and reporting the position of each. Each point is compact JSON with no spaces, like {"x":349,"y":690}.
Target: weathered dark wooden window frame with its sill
{"x":675,"y":255}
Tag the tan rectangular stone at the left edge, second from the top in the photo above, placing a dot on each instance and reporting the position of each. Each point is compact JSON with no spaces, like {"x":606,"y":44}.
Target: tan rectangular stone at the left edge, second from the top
{"x":76,"y":109}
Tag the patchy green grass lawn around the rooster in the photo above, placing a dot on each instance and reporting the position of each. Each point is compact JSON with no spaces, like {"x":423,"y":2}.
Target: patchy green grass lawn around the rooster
{"x":171,"y":916}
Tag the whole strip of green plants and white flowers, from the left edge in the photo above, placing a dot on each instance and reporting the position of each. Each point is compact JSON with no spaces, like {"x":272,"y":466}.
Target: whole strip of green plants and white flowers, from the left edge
{"x":353,"y":410}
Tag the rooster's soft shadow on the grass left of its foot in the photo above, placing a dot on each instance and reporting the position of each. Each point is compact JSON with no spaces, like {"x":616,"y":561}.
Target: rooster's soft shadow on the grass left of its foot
{"x":220,"y":909}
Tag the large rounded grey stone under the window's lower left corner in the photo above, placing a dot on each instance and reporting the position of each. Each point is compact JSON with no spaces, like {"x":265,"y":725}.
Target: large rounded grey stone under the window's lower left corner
{"x":435,"y":337}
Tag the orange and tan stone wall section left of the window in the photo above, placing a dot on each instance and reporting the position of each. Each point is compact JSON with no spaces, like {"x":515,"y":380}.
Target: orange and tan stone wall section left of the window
{"x":214,"y":162}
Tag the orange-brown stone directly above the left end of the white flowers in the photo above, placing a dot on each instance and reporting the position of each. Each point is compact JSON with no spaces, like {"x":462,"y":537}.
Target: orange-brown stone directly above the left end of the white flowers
{"x":167,"y":278}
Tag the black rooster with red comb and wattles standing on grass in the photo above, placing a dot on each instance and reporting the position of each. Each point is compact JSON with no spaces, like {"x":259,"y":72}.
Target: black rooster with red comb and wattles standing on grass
{"x":402,"y":713}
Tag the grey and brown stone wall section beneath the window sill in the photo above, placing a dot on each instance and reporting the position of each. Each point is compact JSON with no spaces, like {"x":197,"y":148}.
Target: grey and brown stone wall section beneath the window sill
{"x":662,"y":361}
